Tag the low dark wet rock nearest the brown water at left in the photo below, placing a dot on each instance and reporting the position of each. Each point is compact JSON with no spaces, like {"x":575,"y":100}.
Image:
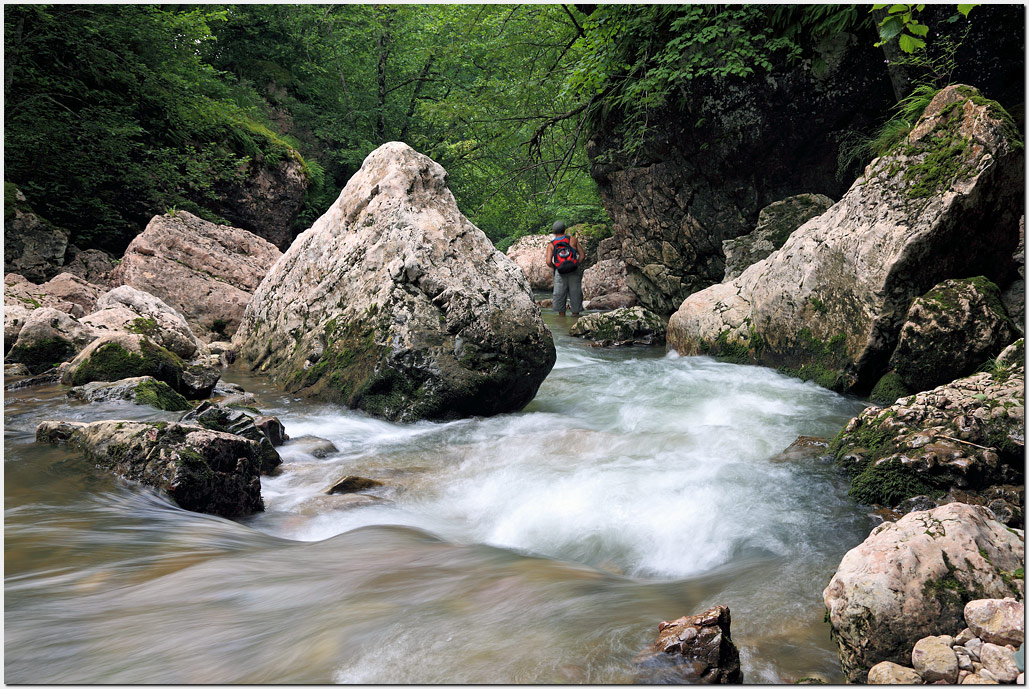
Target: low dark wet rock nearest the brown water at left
{"x":200,"y":469}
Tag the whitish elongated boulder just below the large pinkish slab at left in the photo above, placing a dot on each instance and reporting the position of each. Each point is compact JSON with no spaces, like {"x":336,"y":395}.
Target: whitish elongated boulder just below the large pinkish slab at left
{"x":126,"y":309}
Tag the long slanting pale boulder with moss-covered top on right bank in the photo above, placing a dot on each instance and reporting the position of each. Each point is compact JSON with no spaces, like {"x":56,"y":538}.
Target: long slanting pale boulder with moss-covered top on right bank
{"x":830,"y":304}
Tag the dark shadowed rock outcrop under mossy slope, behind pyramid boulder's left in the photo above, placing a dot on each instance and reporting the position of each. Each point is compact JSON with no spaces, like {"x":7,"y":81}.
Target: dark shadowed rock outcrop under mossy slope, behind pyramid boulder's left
{"x":268,"y":200}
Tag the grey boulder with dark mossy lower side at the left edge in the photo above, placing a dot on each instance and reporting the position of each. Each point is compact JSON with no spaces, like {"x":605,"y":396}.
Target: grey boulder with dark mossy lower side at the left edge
{"x":49,"y":338}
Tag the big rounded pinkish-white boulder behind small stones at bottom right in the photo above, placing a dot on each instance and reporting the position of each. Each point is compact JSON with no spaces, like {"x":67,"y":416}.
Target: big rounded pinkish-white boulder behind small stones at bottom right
{"x":916,"y":575}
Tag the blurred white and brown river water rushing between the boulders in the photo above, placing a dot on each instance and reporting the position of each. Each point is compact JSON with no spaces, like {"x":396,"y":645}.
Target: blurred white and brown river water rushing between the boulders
{"x":543,"y":547}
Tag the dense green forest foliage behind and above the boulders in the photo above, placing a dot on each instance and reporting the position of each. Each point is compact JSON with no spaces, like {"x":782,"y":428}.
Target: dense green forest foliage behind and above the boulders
{"x":118,"y":113}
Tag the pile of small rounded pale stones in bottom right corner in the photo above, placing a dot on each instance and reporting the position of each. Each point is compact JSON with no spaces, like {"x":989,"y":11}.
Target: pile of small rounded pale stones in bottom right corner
{"x":977,"y":656}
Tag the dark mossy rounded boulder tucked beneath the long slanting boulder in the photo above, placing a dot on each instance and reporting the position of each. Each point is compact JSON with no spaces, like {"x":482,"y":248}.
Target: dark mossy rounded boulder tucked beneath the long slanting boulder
{"x":950,"y":332}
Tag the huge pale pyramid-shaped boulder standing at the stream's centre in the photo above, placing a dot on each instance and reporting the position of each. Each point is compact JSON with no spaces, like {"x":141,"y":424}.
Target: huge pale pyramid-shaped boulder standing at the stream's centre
{"x":396,"y":304}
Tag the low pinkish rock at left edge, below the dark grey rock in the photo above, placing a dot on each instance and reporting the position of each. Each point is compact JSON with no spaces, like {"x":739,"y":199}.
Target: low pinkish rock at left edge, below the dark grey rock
{"x":65,"y":293}
